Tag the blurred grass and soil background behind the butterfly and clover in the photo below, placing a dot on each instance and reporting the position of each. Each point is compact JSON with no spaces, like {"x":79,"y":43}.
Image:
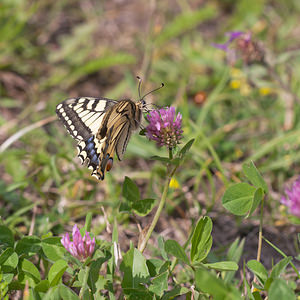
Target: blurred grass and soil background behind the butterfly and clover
{"x":53,"y":50}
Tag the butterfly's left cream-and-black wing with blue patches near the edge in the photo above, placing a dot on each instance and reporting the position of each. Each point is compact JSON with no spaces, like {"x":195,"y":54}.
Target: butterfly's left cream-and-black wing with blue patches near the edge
{"x":83,"y":117}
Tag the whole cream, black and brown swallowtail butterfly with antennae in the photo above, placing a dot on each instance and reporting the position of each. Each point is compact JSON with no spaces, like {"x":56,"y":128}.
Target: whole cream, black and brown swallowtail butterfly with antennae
{"x":102,"y":127}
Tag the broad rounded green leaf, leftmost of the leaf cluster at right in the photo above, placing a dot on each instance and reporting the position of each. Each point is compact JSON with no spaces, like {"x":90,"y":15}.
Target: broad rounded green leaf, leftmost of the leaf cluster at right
{"x":238,"y":198}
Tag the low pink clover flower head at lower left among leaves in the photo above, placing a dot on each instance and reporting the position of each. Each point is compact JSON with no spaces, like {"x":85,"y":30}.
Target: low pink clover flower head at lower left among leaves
{"x":80,"y":247}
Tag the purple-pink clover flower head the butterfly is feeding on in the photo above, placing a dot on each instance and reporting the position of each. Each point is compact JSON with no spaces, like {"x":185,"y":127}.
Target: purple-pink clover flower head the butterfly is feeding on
{"x":164,"y":128}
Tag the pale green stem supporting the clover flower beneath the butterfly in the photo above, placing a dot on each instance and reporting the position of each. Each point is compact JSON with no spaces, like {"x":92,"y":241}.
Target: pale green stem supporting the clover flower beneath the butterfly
{"x":145,"y":240}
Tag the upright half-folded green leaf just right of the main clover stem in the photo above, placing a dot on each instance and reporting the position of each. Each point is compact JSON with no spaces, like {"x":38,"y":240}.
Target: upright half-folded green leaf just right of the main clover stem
{"x":201,"y":240}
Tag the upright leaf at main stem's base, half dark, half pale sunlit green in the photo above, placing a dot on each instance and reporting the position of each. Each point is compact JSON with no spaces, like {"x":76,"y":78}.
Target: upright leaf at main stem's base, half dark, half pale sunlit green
{"x":135,"y":270}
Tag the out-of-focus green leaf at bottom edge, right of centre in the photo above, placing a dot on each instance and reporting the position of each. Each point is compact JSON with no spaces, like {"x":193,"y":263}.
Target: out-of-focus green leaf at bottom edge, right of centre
{"x":209,"y":283}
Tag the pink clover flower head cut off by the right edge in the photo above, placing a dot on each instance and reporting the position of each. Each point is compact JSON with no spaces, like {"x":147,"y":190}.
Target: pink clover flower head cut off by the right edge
{"x":292,"y":201}
